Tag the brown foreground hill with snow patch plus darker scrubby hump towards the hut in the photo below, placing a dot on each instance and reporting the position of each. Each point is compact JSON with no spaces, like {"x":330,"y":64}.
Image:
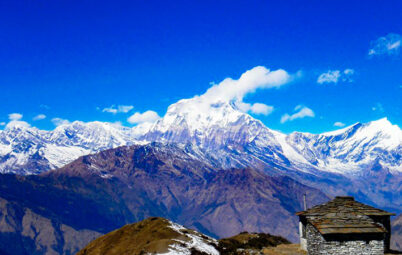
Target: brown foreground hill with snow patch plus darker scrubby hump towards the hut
{"x":161,"y":236}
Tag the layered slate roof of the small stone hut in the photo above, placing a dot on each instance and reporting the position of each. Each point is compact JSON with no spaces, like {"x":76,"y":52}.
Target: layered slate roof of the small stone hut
{"x":344,"y":215}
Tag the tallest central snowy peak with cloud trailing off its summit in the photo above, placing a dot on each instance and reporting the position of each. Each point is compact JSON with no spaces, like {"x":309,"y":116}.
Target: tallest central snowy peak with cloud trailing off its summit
{"x":223,"y":132}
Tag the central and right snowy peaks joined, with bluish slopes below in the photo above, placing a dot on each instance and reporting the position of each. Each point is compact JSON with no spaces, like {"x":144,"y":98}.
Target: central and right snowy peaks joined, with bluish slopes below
{"x":363,"y":160}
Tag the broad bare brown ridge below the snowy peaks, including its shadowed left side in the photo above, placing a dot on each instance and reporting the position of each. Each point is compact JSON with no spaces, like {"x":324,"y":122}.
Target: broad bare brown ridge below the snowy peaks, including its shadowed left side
{"x":104,"y":191}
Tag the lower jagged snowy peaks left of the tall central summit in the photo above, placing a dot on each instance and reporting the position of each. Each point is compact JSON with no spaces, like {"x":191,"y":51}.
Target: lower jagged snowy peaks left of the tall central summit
{"x":31,"y":151}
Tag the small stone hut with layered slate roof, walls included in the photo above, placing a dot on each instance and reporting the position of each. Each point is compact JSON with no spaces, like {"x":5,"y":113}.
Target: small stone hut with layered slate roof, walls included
{"x":344,"y":226}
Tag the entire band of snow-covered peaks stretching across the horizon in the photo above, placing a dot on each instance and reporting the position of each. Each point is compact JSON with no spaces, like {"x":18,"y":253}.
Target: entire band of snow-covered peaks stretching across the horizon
{"x":220,"y":133}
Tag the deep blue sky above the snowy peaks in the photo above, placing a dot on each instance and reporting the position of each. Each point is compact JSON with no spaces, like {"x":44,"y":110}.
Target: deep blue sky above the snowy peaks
{"x":72,"y":59}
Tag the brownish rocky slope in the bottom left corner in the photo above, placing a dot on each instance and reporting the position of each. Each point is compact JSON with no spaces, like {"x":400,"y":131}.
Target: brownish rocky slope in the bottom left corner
{"x":24,"y":231}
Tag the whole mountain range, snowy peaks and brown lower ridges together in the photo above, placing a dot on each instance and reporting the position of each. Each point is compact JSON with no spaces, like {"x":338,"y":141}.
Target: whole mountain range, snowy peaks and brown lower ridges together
{"x":206,"y":165}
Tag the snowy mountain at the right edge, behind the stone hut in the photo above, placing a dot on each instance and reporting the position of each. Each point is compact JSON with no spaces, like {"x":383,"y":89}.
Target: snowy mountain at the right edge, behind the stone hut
{"x":350,"y":149}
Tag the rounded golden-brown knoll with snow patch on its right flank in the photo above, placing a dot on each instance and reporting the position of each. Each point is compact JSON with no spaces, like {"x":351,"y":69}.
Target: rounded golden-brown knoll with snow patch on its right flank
{"x":152,"y":236}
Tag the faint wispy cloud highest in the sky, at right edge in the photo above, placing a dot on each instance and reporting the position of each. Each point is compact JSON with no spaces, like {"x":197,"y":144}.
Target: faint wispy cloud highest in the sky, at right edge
{"x":386,"y":45}
